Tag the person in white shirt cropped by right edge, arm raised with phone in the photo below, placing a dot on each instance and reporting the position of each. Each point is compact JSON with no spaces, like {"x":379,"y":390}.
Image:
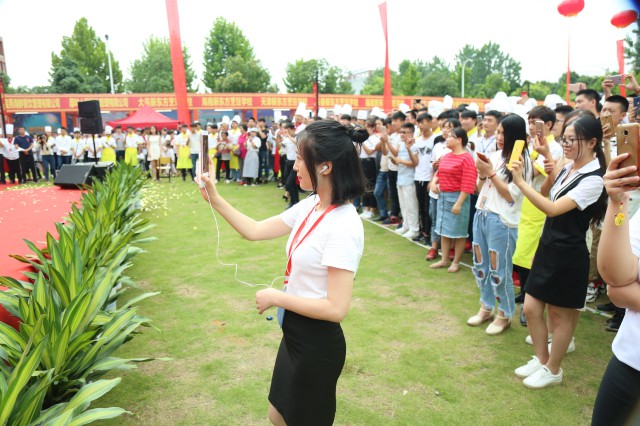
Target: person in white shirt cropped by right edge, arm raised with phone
{"x":618,"y":253}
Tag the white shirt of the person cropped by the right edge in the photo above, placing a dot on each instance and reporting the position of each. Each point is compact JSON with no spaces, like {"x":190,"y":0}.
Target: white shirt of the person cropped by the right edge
{"x":626,"y":345}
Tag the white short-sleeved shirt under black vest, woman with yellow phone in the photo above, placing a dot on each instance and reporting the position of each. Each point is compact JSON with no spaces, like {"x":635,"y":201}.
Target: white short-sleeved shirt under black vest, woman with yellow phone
{"x":588,"y":190}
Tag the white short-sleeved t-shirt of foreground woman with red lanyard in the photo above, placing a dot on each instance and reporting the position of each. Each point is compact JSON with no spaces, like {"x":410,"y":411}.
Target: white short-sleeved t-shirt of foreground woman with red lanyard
{"x":337,"y":241}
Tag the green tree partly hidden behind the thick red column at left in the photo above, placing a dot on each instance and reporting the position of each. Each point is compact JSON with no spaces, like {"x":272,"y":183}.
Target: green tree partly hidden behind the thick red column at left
{"x":153,"y":72}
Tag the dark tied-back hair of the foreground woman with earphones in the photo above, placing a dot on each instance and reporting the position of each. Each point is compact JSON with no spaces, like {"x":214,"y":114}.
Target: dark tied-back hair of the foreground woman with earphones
{"x":329,"y":141}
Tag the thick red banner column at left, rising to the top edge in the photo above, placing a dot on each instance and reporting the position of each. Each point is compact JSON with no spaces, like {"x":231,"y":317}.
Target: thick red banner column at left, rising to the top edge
{"x":177,"y":61}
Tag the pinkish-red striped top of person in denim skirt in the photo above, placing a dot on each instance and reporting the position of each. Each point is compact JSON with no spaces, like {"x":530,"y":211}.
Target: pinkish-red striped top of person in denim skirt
{"x":457,"y":173}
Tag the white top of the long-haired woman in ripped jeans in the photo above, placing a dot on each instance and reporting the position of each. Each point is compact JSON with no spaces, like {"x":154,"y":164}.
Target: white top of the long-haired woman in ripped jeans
{"x":490,"y":199}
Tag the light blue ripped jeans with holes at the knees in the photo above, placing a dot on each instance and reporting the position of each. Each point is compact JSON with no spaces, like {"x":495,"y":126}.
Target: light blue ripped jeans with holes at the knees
{"x":493,"y":246}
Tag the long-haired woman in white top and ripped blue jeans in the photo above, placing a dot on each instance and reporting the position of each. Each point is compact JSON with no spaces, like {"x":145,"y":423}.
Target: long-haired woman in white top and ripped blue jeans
{"x":495,"y":226}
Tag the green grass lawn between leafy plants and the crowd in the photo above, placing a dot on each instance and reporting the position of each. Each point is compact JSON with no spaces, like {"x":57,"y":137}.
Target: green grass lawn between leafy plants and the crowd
{"x":411,"y":358}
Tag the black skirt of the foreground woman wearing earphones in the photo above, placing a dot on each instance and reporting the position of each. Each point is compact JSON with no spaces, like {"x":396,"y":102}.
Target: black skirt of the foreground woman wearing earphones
{"x":309,"y":362}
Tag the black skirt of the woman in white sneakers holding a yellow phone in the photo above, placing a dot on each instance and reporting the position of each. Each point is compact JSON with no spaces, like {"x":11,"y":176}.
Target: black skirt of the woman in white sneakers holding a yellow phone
{"x":560,"y":277}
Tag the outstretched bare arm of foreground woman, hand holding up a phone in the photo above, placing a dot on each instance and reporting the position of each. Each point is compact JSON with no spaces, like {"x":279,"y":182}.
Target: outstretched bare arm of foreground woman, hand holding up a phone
{"x":249,"y":228}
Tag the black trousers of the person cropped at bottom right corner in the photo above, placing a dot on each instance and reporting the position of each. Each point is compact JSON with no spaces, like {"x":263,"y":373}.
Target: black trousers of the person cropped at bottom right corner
{"x":618,"y":400}
